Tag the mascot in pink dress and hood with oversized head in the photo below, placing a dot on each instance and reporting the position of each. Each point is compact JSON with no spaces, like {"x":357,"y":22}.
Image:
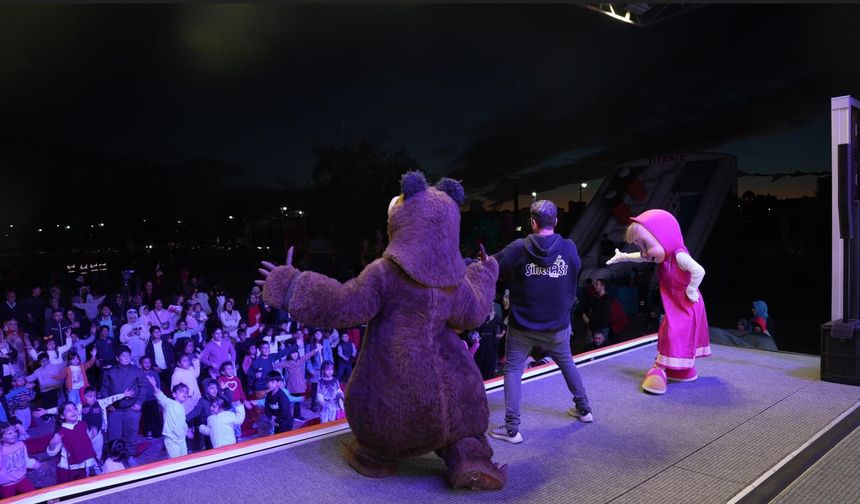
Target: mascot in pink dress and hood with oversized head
{"x":683,"y":332}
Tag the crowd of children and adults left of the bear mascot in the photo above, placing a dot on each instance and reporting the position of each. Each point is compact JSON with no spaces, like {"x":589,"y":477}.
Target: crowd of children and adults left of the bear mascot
{"x":196,"y":369}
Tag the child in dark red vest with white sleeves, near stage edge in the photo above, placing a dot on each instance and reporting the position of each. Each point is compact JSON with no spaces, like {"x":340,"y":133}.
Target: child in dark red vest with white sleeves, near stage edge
{"x":73,"y":444}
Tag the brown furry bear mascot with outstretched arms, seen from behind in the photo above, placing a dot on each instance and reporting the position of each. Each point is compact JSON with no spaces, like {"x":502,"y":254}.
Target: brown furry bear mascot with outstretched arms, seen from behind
{"x":415,"y":388}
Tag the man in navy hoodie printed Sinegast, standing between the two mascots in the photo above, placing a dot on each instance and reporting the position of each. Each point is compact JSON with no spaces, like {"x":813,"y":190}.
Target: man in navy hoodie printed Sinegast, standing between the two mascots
{"x":544,"y":268}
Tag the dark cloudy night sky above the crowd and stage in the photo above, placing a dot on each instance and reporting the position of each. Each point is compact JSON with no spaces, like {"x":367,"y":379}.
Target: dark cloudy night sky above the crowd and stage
{"x":121,"y":109}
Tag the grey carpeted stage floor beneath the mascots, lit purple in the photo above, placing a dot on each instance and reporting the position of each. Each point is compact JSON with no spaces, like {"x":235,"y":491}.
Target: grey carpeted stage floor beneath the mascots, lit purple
{"x":702,"y":442}
